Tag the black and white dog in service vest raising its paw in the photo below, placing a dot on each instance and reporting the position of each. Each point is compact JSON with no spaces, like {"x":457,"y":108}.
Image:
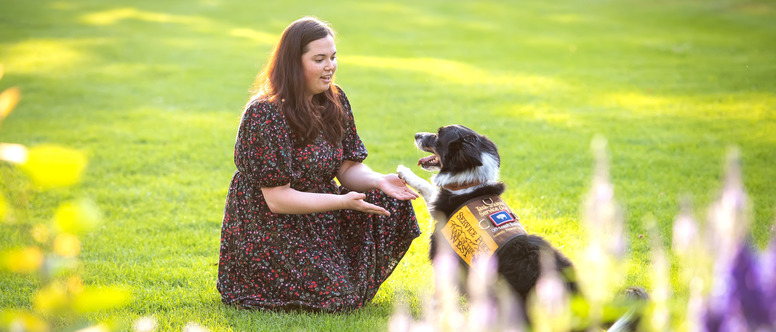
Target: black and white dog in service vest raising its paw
{"x":463,"y":199}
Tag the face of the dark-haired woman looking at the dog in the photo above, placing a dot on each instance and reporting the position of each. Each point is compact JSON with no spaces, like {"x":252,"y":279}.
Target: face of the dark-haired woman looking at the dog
{"x":319,"y":64}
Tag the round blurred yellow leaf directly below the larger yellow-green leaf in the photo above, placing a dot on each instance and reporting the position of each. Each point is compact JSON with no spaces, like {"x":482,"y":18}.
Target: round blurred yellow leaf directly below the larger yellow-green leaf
{"x":77,"y":216}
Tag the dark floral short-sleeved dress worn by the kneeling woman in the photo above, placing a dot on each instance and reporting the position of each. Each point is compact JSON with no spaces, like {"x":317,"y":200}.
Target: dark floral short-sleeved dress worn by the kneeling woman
{"x":331,"y":261}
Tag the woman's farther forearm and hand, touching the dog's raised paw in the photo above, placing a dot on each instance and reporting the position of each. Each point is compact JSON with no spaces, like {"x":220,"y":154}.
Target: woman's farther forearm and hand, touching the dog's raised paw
{"x":359,"y":177}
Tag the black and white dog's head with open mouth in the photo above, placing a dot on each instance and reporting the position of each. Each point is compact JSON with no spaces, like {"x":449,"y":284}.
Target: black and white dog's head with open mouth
{"x":460,"y":155}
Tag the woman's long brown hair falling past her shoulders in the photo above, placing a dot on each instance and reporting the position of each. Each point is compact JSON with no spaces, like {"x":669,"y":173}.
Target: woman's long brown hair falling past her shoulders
{"x":282,"y":80}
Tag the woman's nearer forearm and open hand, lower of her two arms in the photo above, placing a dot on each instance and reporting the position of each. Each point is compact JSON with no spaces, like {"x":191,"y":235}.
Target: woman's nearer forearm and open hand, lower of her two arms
{"x":285,"y":200}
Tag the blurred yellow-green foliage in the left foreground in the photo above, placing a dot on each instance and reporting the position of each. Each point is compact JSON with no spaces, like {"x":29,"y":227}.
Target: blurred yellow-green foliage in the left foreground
{"x":61,"y":297}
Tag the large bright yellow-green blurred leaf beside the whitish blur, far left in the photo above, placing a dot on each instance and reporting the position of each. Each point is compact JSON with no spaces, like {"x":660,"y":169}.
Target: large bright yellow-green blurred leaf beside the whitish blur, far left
{"x":54,"y":166}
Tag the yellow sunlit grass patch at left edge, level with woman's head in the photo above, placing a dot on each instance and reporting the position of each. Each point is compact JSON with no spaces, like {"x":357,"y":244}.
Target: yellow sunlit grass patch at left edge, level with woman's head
{"x":42,"y":55}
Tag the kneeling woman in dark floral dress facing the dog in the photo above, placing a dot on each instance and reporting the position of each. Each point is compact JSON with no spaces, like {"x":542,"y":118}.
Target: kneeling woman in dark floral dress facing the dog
{"x":292,"y":238}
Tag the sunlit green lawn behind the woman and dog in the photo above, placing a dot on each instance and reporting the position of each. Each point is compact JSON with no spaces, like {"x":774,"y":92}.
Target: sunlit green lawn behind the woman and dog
{"x":152,"y":92}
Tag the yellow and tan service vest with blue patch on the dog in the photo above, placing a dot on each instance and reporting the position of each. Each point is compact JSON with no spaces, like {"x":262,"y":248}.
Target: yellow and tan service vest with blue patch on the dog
{"x":479,"y":227}
